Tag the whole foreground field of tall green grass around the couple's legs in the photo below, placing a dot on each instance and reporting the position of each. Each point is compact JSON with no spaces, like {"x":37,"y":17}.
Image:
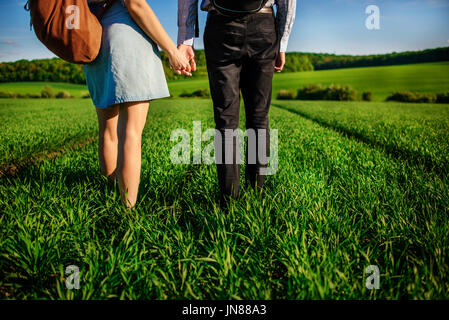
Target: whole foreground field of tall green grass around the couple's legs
{"x":358,"y":184}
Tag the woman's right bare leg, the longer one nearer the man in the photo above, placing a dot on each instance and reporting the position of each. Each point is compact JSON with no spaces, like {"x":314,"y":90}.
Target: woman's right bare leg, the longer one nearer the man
{"x":131,"y":122}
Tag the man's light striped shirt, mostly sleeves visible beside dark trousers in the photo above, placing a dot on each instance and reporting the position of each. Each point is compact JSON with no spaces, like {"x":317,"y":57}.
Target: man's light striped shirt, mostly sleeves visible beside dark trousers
{"x":188,"y":11}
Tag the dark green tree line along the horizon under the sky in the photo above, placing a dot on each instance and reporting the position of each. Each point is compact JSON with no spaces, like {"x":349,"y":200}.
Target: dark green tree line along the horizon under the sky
{"x":57,"y":70}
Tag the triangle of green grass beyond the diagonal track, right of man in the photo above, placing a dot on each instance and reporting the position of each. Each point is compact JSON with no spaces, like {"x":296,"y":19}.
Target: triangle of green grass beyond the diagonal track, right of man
{"x":409,"y":131}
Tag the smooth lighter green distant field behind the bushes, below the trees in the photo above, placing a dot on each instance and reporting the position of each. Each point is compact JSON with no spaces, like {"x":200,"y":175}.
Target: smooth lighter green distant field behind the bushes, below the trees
{"x":382,"y":81}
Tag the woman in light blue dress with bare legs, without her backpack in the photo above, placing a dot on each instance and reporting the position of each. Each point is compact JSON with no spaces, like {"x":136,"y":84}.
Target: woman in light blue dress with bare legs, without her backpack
{"x":126,"y":75}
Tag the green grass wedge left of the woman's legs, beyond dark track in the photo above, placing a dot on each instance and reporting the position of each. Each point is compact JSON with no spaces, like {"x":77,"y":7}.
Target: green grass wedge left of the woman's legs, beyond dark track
{"x":34,"y":127}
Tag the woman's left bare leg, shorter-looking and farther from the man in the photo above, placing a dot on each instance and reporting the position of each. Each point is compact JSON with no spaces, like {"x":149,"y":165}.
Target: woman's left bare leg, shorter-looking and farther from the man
{"x":108,"y":140}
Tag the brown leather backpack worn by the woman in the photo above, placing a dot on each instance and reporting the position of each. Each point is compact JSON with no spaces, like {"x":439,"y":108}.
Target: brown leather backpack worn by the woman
{"x":68,"y":28}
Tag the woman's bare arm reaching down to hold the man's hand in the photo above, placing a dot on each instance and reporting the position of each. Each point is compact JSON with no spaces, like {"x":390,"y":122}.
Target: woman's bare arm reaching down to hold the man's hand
{"x":144,"y":16}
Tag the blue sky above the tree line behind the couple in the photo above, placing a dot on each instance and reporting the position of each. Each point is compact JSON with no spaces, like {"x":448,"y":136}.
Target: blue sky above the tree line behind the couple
{"x":331,"y":26}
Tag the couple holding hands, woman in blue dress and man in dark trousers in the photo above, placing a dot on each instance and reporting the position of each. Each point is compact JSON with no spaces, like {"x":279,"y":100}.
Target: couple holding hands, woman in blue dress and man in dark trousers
{"x":245,"y":43}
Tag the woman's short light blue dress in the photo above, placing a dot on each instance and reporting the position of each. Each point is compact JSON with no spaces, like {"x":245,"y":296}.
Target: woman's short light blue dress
{"x":128,"y":67}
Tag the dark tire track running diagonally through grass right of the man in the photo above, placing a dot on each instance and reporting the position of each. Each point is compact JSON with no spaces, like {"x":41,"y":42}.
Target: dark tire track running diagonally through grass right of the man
{"x":422,"y":161}
